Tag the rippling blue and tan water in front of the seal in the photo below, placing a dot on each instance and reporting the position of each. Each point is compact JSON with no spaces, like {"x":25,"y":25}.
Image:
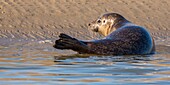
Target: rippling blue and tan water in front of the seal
{"x":37,"y":62}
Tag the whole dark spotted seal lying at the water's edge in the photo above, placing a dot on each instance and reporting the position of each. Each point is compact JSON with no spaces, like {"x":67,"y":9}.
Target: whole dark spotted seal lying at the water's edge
{"x":122,"y":37}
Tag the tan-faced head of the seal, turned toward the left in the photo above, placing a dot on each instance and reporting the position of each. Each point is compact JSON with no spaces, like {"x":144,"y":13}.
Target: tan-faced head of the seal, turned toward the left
{"x":106,"y":23}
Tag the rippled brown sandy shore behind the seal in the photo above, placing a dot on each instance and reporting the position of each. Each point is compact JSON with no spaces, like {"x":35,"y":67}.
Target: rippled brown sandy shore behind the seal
{"x":47,"y":18}
